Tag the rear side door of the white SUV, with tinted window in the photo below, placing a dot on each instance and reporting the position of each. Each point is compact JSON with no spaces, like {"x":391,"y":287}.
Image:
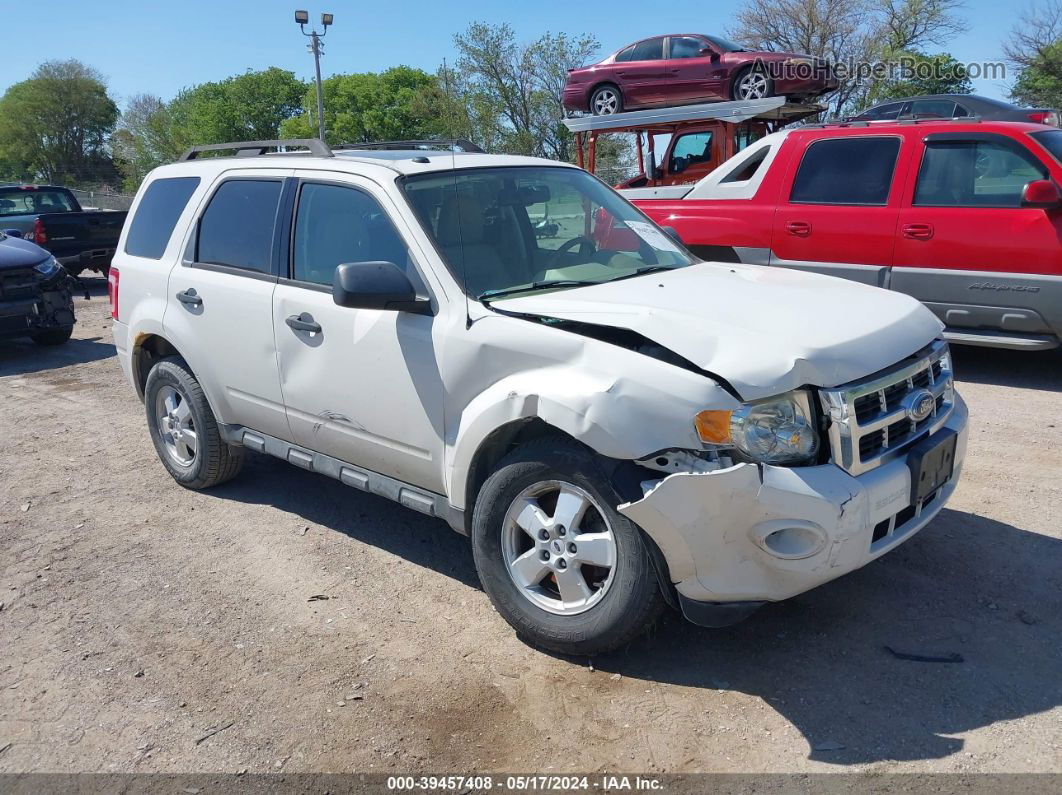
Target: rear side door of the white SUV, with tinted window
{"x":220,"y":300}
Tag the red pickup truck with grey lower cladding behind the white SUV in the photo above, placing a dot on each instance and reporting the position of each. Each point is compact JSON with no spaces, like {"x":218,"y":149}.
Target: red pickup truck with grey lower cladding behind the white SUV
{"x":965,"y":216}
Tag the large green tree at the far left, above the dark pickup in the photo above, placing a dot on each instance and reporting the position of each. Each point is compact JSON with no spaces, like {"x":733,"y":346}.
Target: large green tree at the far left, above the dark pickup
{"x":56,"y":126}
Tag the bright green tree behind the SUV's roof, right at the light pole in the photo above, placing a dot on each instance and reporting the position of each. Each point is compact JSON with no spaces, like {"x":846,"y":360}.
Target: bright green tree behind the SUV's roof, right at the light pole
{"x":389,"y":106}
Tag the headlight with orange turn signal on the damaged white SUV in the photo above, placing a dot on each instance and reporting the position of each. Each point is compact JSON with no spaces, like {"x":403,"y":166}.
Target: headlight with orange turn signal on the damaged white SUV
{"x":778,"y":430}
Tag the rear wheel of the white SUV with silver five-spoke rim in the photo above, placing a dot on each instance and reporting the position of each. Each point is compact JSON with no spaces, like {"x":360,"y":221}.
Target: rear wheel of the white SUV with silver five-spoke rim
{"x":184,"y":429}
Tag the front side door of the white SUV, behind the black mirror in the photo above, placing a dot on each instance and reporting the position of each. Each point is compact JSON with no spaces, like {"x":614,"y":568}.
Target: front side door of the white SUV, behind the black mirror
{"x":365,"y":387}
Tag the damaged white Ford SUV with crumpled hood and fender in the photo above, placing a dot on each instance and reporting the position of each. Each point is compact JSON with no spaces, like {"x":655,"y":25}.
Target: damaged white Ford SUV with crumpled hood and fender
{"x":507,"y":344}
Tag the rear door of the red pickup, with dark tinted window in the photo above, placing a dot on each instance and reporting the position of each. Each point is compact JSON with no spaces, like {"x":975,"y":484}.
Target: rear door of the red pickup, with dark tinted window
{"x":840,"y":217}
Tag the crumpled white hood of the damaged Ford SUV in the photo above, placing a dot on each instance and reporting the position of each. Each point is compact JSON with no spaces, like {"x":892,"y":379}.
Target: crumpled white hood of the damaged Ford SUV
{"x":766,"y":331}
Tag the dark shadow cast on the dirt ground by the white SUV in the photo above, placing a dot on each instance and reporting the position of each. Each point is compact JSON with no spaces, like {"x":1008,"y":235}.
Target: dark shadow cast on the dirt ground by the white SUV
{"x":967,"y":584}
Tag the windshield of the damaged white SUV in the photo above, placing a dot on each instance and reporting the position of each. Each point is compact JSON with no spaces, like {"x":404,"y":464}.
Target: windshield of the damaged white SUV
{"x":517,"y":229}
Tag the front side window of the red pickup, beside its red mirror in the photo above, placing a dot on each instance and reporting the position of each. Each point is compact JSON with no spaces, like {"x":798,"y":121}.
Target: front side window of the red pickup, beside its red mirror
{"x":975,"y":174}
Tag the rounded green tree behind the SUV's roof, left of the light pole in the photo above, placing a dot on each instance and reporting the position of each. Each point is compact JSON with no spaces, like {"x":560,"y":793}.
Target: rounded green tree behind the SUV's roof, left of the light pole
{"x":250,"y":107}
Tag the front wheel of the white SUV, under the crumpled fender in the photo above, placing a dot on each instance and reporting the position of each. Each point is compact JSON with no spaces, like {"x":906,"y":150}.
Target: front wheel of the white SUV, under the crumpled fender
{"x":560,"y":564}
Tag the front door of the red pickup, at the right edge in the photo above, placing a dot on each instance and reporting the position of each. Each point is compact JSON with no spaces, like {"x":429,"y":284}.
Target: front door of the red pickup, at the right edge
{"x":968,"y":249}
